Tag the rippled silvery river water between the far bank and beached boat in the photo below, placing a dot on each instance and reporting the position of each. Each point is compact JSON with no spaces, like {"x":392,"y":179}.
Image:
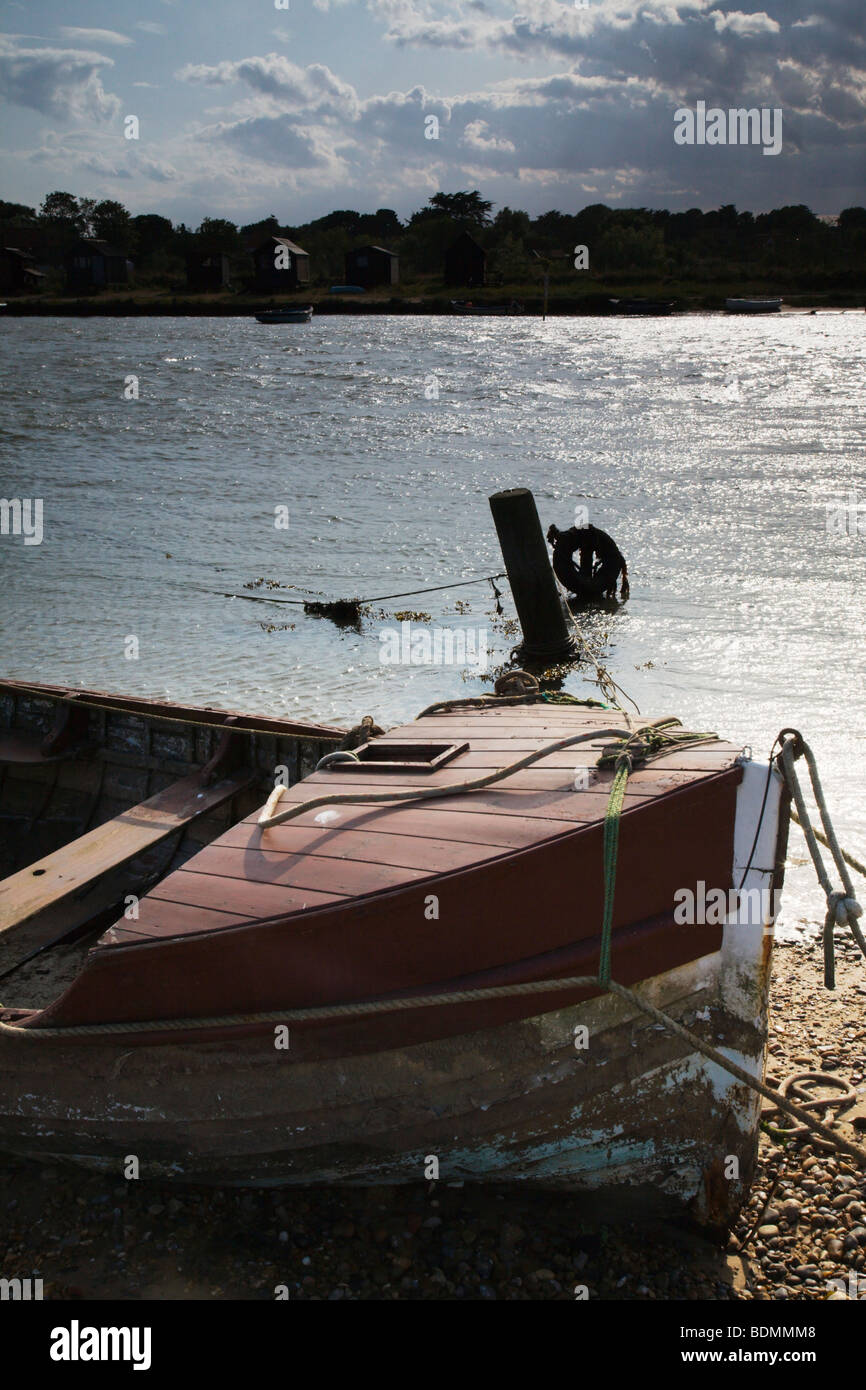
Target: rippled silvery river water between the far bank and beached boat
{"x":710,"y":447}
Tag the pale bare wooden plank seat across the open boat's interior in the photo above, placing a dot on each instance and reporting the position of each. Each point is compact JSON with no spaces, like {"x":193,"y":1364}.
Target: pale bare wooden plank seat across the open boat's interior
{"x":69,"y":869}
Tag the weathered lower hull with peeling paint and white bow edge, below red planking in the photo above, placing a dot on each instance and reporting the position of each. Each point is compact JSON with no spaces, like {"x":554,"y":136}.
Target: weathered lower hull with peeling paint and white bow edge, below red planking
{"x":636,"y":1117}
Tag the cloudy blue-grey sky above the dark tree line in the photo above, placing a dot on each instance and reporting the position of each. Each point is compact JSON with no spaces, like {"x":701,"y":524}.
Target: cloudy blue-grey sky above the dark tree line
{"x":248,"y":108}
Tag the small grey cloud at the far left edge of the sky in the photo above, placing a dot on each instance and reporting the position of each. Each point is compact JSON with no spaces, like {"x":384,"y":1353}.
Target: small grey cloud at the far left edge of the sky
{"x":58,"y":83}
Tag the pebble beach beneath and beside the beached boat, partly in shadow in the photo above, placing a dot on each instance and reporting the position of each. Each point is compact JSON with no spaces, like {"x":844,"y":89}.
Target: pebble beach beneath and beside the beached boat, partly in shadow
{"x":801,"y":1236}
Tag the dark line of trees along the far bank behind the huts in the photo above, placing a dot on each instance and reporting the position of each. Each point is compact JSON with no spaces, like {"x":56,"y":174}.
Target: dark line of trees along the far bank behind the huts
{"x":711,"y":247}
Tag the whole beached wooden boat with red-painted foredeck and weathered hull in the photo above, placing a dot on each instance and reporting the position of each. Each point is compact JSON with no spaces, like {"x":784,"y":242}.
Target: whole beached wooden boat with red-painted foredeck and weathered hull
{"x":236,"y":1003}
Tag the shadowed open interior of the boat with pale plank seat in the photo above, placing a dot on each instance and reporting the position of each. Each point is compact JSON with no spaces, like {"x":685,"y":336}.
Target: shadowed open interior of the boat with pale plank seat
{"x":101,"y":799}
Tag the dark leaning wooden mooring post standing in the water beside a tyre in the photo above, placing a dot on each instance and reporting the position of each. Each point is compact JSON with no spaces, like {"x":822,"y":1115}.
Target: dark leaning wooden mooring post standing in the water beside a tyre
{"x":547,"y":635}
